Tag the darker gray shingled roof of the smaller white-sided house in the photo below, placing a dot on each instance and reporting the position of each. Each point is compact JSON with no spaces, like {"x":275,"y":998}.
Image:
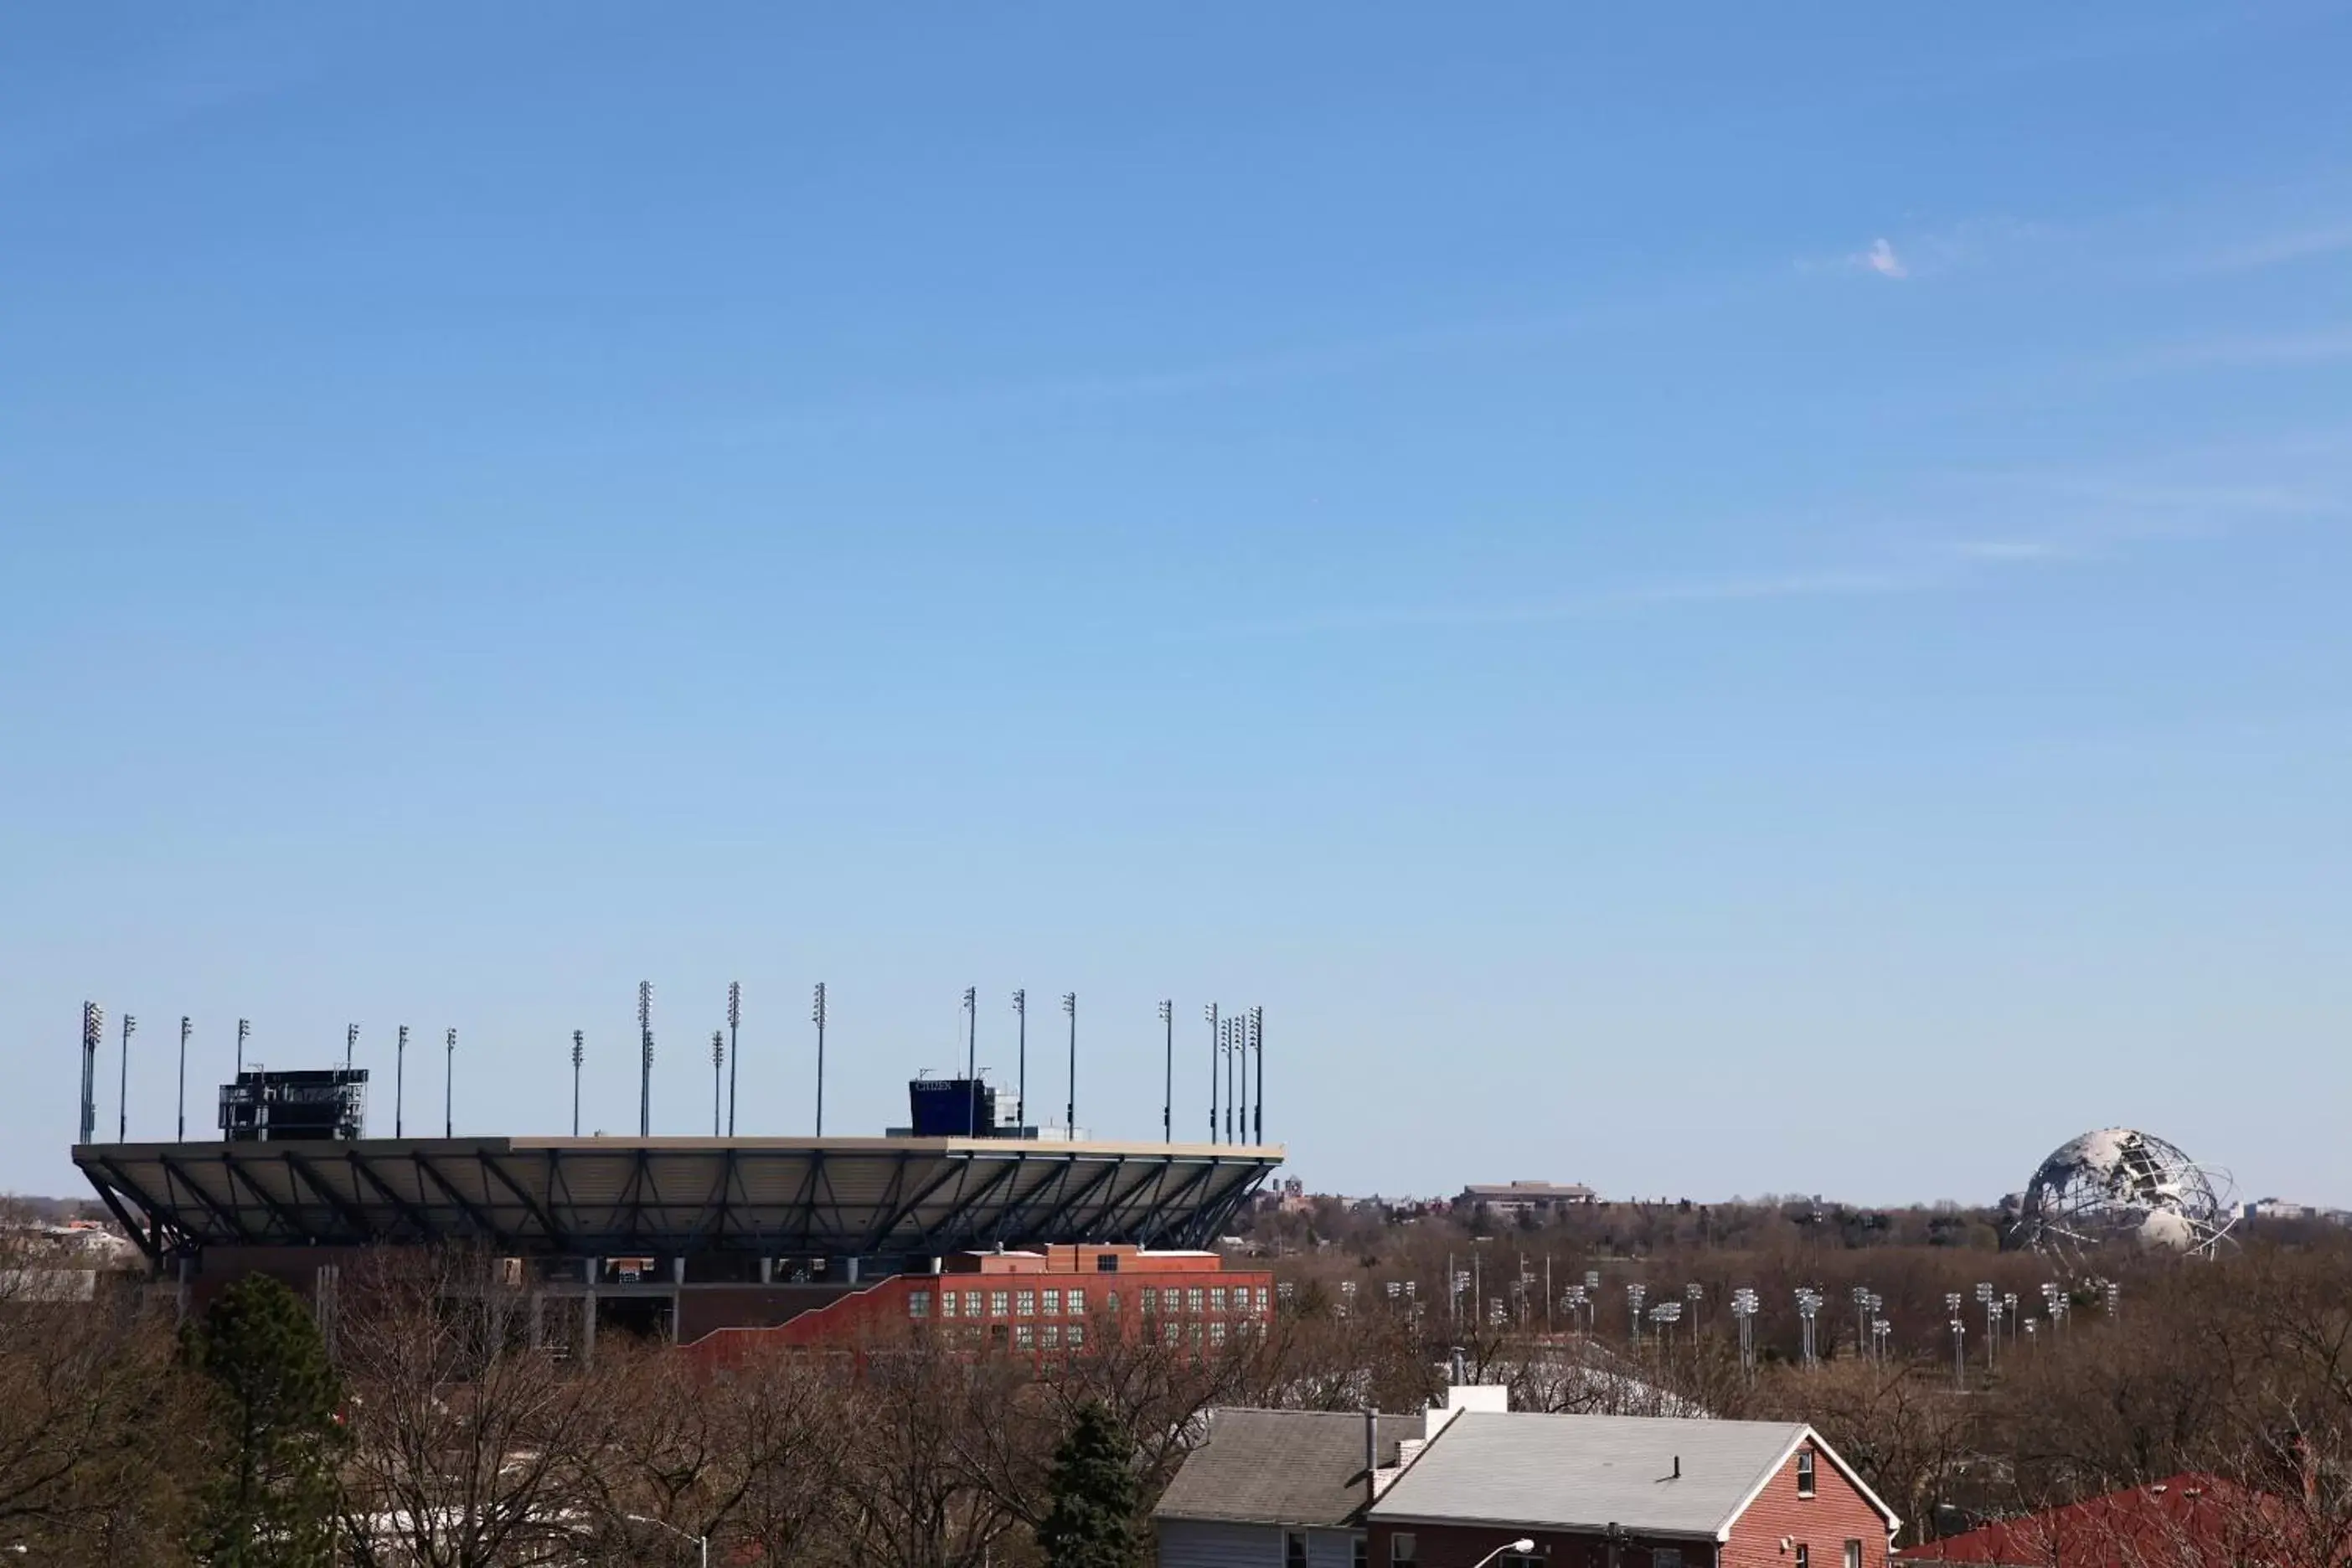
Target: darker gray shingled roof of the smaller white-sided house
{"x":1302,"y":1468}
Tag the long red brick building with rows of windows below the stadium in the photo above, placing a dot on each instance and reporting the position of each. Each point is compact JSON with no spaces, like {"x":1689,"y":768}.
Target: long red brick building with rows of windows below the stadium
{"x":1036,"y":1301}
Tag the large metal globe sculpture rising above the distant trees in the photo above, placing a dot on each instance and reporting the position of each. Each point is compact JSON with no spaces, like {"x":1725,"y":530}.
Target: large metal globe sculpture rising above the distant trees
{"x":2125,"y":1188}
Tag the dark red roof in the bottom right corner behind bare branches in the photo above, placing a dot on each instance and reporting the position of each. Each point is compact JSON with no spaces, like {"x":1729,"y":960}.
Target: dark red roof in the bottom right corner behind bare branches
{"x":2181,"y":1520}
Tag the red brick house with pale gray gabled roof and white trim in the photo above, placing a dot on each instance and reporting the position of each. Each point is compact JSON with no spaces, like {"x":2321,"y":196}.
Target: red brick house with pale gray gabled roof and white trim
{"x":1629,"y":1492}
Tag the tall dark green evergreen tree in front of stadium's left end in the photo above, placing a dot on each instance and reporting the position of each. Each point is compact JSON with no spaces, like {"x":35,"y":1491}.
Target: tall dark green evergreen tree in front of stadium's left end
{"x":274,"y":1430}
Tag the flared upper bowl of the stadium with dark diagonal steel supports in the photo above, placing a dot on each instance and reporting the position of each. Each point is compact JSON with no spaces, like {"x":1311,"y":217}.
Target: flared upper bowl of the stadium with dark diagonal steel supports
{"x":589,"y":1198}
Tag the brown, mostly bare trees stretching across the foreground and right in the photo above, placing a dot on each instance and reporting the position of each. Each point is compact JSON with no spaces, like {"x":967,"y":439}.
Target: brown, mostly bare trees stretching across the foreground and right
{"x":420,"y":1426}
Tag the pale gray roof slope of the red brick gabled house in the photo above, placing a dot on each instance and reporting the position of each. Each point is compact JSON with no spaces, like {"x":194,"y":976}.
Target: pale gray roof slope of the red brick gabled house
{"x":1584,"y":1473}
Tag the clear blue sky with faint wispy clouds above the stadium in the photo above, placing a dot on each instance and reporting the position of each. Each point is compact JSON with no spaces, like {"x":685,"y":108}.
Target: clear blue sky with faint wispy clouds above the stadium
{"x":1695,"y":598}
